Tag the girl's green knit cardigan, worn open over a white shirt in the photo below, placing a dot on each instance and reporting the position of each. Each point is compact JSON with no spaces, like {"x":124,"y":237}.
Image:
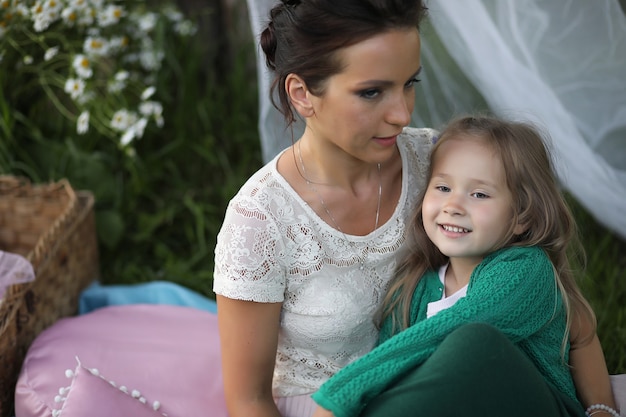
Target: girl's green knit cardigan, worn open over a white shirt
{"x":513,"y":289}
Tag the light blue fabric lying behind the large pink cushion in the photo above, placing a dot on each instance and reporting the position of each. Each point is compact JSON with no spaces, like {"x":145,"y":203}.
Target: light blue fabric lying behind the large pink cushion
{"x":155,"y":292}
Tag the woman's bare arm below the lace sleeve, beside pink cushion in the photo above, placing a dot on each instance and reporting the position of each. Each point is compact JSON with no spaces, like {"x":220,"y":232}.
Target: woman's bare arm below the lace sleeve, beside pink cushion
{"x":249,"y":338}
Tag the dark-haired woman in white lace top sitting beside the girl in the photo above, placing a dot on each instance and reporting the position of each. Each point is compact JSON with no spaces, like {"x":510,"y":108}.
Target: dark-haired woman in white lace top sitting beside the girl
{"x":310,"y":242}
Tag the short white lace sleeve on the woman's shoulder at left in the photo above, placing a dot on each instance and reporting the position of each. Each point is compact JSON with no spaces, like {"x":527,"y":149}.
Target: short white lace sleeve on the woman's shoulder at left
{"x":246,"y":254}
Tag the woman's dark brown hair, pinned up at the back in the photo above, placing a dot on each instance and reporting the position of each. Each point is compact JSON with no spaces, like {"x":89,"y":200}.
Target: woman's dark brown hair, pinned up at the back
{"x":303,"y":36}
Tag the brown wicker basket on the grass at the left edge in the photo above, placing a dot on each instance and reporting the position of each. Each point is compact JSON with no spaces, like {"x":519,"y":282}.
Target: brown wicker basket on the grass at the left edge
{"x":53,"y":227}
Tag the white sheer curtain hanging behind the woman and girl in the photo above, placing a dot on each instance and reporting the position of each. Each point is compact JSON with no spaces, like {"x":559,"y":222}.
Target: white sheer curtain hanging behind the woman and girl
{"x":560,"y":64}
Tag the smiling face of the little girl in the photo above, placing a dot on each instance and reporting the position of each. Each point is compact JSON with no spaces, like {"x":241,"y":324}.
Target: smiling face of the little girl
{"x":467,"y":210}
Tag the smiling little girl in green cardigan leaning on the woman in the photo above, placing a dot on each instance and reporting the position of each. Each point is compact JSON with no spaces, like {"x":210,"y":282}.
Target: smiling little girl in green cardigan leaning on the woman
{"x":481,"y":307}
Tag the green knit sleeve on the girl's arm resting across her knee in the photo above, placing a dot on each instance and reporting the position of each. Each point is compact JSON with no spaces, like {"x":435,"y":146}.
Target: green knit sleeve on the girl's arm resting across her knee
{"x":513,"y":290}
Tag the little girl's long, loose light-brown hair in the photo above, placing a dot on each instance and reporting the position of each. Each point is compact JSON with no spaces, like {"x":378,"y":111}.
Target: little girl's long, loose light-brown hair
{"x":538,"y":204}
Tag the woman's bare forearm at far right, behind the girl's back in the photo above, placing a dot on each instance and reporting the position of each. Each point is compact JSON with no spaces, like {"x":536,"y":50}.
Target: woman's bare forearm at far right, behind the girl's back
{"x":589,"y":371}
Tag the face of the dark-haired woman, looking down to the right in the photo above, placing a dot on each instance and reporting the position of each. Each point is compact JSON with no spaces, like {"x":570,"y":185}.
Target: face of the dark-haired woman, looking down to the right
{"x":365,"y":107}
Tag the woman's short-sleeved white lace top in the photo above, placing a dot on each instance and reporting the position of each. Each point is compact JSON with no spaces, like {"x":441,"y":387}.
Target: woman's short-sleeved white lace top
{"x":274,"y":248}
